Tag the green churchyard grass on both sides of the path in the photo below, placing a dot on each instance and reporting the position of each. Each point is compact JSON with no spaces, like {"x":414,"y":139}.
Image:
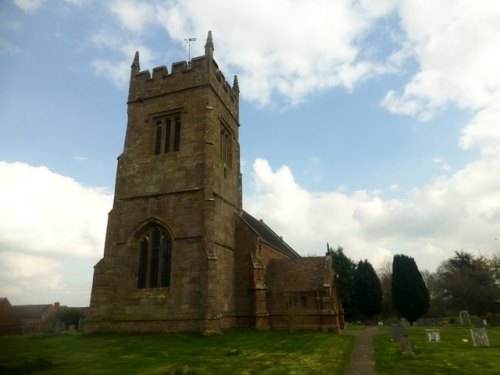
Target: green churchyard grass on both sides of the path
{"x":248,"y":352}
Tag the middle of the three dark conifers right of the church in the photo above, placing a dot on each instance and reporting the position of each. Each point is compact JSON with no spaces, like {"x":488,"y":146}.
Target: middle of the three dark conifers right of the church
{"x":367,"y":289}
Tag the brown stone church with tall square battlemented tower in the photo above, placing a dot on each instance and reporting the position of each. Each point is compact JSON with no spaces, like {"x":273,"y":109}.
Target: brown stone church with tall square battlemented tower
{"x":180,"y":252}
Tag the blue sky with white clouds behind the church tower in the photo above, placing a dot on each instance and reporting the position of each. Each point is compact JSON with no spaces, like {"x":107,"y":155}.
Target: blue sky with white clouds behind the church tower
{"x":368,"y":124}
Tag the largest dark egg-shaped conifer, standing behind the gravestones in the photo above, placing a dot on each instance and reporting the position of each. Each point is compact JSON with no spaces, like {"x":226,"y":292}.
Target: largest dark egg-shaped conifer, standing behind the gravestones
{"x":409,"y":292}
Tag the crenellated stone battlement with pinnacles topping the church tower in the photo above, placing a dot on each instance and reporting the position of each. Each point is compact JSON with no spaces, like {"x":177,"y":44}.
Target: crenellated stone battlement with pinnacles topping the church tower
{"x":200,"y":71}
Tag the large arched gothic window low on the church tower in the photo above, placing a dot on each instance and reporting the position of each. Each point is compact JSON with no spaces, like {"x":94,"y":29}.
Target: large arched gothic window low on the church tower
{"x":155,"y":255}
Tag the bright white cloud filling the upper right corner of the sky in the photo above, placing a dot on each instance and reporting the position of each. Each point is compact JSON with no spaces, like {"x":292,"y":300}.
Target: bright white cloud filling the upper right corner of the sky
{"x":456,"y":47}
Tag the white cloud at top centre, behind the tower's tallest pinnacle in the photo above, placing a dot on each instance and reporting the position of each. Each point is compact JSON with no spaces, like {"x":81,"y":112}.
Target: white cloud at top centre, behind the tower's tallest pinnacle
{"x":286,"y":47}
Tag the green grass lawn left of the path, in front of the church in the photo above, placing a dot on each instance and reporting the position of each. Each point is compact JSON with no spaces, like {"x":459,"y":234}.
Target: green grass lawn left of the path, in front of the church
{"x":236,"y":352}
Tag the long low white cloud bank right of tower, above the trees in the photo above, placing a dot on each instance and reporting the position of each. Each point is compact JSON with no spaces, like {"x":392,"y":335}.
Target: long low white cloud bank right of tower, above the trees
{"x":452,"y":213}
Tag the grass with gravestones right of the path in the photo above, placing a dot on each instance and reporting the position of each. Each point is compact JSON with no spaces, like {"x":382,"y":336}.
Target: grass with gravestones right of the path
{"x":449,"y":356}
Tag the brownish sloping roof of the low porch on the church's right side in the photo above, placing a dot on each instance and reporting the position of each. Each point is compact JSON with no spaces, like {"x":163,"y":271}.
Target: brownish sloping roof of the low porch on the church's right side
{"x":304,"y":274}
